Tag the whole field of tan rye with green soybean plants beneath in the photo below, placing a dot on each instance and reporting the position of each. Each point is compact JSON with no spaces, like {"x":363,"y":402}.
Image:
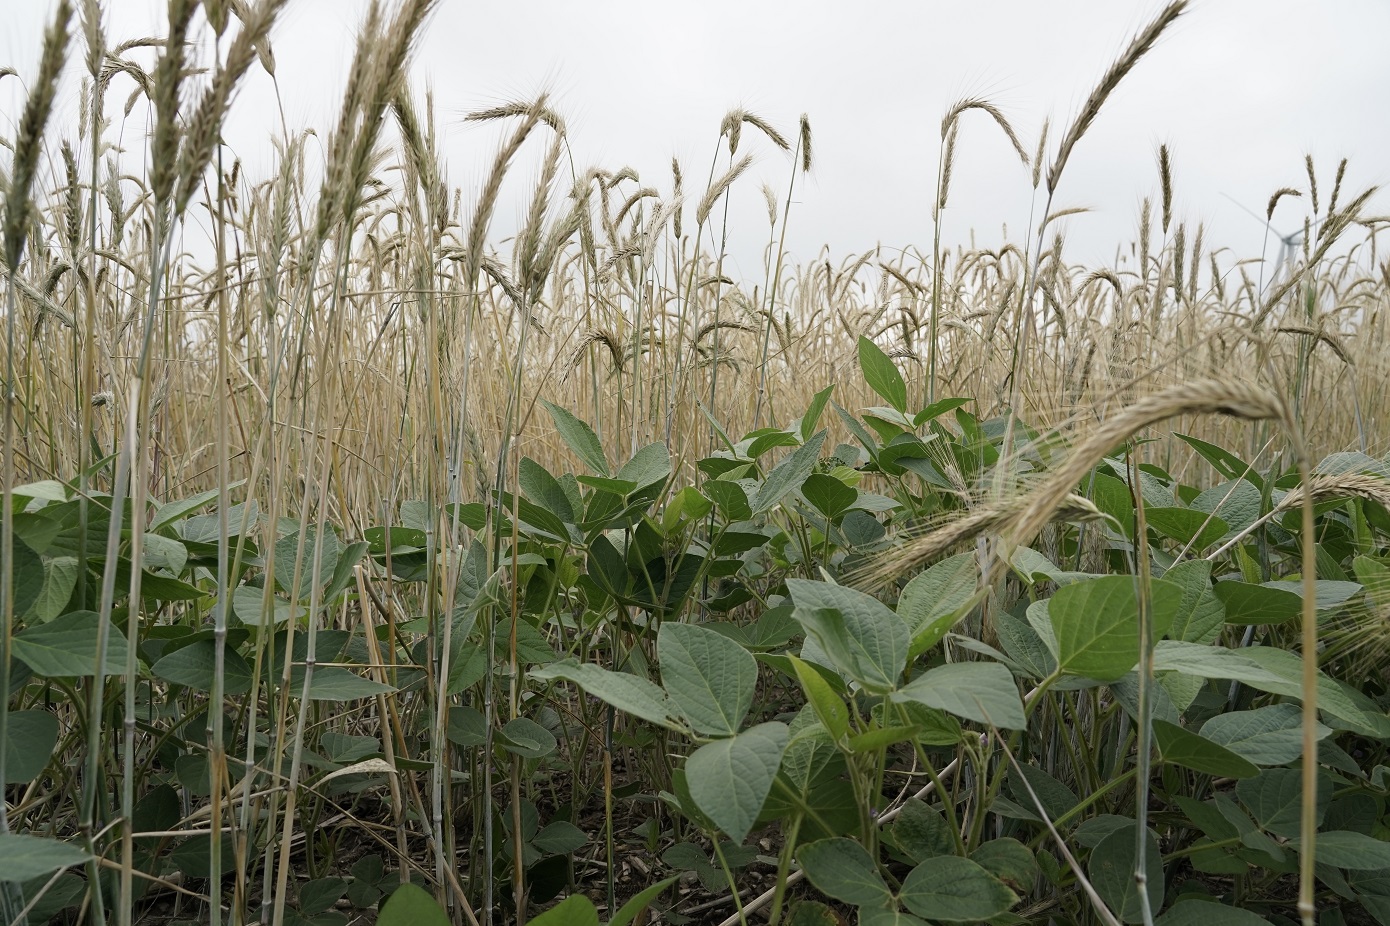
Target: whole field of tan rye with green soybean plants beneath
{"x":370,"y":567}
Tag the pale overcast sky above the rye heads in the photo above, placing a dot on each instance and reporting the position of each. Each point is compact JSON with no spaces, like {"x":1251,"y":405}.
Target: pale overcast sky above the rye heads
{"x":1241,"y":91}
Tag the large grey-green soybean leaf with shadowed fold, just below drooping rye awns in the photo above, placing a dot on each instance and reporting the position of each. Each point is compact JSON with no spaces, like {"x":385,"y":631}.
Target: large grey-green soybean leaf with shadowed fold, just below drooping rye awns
{"x":858,"y":633}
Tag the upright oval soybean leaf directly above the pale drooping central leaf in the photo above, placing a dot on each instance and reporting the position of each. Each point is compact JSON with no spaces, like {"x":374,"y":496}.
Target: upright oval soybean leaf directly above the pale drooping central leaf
{"x":710,"y":678}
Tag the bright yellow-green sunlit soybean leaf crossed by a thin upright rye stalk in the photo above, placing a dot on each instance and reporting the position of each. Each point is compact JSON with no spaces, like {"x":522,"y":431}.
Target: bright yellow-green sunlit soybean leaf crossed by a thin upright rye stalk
{"x":1097,"y":624}
